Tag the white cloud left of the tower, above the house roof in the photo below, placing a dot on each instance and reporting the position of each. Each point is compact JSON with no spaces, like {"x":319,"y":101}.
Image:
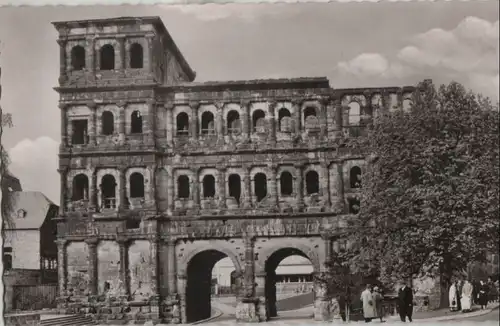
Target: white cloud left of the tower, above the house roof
{"x":35,"y":163}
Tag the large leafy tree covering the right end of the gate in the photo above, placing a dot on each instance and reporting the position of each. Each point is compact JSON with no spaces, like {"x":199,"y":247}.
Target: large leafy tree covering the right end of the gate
{"x":430,"y":189}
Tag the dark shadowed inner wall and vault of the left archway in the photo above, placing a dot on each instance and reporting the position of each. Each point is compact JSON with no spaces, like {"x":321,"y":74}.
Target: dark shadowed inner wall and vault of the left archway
{"x":199,"y":284}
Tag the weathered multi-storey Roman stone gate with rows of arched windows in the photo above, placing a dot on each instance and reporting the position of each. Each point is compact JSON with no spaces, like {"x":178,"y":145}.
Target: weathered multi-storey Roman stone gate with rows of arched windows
{"x":162,"y":177}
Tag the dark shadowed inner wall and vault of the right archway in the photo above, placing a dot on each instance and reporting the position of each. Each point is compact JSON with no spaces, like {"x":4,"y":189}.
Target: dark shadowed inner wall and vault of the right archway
{"x":271,"y":265}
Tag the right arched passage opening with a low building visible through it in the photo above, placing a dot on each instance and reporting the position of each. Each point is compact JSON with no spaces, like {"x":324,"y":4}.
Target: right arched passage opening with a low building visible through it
{"x":288,"y":281}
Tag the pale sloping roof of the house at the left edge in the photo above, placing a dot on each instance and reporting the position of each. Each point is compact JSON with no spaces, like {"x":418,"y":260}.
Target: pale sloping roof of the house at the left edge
{"x":29,"y":210}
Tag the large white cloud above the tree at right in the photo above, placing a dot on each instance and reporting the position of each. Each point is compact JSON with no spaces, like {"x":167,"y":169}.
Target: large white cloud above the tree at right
{"x":468,"y":54}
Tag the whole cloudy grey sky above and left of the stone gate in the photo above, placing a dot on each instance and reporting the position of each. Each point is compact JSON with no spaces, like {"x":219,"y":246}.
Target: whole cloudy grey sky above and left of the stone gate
{"x":353,"y":44}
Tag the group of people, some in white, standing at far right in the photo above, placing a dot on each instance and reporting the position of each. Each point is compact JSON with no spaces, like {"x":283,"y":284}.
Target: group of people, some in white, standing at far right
{"x":463,"y":294}
